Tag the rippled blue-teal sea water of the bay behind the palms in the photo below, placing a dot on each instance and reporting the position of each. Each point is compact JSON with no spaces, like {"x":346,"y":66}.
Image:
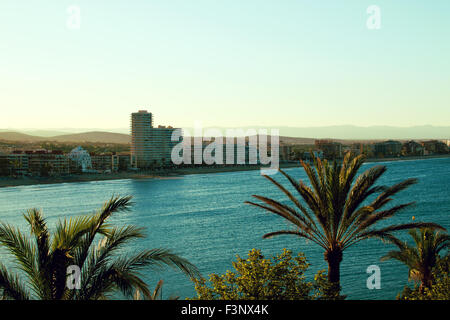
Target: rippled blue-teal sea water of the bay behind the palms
{"x":203,"y":218}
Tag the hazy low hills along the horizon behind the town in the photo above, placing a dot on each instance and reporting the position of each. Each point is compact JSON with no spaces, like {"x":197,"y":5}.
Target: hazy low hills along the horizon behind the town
{"x":301,"y":135}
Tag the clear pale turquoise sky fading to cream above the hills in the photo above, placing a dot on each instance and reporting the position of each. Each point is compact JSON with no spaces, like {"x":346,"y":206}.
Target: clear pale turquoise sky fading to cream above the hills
{"x":230,"y":63}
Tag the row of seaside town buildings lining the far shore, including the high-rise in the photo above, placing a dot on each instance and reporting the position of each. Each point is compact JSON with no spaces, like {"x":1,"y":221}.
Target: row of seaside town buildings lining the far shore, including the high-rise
{"x":152,"y":148}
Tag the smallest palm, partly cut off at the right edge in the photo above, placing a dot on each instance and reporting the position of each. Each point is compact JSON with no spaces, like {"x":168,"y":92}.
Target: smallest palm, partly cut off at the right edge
{"x":421,"y":258}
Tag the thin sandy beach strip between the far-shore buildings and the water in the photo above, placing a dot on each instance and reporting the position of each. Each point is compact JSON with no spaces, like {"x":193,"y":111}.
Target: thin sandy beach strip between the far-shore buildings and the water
{"x":6,"y":182}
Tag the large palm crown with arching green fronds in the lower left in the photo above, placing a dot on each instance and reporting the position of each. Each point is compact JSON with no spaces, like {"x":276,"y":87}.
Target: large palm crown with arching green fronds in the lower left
{"x":88,"y":242}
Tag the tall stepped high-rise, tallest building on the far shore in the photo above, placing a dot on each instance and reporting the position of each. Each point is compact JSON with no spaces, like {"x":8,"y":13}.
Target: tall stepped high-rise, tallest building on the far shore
{"x":149,"y":146}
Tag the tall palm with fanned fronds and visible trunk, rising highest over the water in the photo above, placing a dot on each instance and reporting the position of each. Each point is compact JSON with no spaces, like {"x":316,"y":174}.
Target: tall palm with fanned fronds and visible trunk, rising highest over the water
{"x":335,"y":217}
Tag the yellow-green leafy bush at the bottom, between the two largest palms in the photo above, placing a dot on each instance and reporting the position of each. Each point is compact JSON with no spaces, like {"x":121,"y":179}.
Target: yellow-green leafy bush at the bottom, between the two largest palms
{"x":259,"y":278}
